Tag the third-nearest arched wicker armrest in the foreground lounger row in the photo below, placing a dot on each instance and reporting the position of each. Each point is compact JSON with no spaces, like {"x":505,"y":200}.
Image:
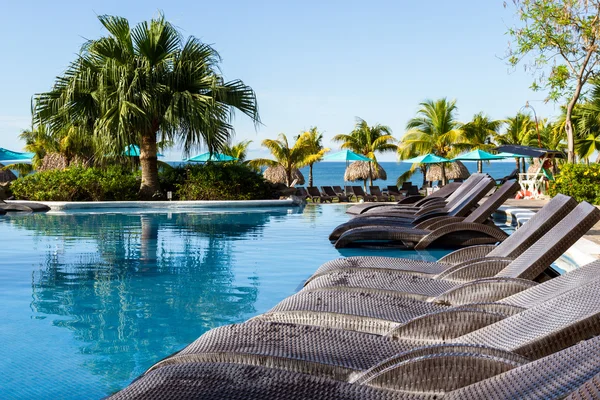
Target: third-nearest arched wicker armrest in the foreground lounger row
{"x":483,"y":290}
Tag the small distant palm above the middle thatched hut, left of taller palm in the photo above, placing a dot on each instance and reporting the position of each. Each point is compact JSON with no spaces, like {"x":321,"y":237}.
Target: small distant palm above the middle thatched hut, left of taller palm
{"x":368,"y":140}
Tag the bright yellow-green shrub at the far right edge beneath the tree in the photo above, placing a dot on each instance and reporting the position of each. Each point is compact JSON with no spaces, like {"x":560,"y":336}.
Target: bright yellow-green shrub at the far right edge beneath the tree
{"x":580,"y":181}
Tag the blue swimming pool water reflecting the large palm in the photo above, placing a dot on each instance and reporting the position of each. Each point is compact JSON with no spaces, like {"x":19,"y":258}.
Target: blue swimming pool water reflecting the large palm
{"x":89,"y":300}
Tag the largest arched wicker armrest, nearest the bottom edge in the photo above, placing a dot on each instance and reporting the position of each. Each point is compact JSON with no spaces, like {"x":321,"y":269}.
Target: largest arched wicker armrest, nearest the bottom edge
{"x":462,"y":366}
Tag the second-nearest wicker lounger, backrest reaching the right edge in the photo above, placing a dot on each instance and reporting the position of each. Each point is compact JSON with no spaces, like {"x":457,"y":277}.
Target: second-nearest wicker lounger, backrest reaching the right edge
{"x":532,"y":334}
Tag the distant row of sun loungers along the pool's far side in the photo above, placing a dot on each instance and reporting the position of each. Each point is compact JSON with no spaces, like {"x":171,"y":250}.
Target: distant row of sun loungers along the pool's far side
{"x":329,"y":193}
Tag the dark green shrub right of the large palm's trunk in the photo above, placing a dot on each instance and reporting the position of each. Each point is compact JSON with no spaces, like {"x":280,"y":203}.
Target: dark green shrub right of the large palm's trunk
{"x":218,"y":181}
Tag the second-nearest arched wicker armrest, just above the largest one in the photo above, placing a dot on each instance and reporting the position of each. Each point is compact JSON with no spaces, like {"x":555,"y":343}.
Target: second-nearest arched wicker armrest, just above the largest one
{"x":444,"y":325}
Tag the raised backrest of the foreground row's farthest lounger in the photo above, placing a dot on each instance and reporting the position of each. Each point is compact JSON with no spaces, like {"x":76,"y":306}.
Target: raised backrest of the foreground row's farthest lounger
{"x":532,"y":230}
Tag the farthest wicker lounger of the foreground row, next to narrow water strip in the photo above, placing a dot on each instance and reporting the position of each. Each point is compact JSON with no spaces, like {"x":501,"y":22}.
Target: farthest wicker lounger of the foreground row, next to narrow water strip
{"x":552,"y":213}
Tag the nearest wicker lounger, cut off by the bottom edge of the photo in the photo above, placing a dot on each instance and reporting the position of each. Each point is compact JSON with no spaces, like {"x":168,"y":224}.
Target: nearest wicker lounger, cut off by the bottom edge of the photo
{"x":576,"y":366}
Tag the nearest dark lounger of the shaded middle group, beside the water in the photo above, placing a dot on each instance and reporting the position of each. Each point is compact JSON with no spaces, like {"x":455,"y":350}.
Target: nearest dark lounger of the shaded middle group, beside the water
{"x":434,"y":232}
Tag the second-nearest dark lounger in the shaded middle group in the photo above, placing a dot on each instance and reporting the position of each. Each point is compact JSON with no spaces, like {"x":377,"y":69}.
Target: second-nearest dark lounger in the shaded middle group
{"x":458,"y":207}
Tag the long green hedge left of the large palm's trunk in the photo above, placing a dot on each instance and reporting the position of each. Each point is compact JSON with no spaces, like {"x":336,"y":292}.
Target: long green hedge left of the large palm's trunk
{"x":78,"y":184}
